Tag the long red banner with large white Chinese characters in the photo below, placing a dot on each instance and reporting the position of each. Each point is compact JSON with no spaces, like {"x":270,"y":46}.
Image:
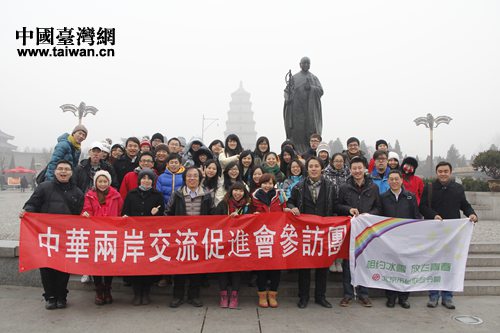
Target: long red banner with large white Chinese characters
{"x":180,"y":244}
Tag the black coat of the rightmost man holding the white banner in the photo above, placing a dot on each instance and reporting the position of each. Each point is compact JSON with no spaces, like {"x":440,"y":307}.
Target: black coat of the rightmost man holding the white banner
{"x":446,"y":201}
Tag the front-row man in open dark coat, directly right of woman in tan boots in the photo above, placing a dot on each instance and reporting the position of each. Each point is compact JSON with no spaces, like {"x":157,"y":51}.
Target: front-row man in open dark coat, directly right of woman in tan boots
{"x":313,"y":195}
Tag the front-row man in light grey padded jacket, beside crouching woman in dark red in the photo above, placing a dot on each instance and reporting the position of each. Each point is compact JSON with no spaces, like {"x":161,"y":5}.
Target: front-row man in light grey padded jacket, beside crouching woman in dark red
{"x":191,"y":199}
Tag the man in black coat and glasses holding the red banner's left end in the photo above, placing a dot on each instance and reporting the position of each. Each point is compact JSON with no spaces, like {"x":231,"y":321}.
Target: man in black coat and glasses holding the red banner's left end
{"x":59,"y":196}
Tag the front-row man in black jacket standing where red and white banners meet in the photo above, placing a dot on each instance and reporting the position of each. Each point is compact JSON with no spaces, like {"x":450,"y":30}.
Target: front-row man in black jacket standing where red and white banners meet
{"x":358,"y":195}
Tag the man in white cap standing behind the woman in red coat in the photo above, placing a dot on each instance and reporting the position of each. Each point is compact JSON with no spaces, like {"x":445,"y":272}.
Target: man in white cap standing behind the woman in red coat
{"x":85,"y":171}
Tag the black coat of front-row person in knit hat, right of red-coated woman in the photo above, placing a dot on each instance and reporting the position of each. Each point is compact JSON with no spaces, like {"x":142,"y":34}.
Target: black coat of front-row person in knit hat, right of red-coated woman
{"x":139,"y":202}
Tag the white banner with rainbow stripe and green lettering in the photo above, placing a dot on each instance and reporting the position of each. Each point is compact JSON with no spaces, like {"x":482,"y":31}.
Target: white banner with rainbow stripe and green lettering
{"x":409,"y":255}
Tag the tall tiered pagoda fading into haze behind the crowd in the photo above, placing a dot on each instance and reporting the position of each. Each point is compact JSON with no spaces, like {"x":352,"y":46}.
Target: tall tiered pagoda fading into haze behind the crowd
{"x":240,"y":118}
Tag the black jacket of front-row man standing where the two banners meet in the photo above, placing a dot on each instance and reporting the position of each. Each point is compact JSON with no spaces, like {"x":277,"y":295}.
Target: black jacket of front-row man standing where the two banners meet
{"x":365,"y":198}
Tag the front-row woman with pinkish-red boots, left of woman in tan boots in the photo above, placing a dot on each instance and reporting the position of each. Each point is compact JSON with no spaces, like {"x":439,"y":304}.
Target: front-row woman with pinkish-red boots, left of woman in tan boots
{"x":236,"y":202}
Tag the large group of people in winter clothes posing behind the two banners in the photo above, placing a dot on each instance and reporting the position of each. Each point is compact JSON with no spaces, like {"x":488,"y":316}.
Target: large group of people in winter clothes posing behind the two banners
{"x":149,"y":177}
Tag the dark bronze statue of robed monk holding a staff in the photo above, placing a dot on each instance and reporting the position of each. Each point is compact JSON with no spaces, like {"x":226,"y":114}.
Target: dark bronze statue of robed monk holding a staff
{"x":302,"y":109}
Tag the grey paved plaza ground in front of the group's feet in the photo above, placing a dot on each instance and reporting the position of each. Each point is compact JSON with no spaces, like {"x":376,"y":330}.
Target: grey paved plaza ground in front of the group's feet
{"x":23,"y":311}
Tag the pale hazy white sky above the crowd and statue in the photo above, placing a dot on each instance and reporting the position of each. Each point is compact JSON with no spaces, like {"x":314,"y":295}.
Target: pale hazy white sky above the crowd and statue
{"x":381,"y":64}
